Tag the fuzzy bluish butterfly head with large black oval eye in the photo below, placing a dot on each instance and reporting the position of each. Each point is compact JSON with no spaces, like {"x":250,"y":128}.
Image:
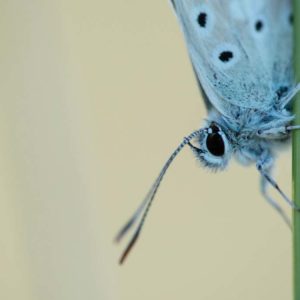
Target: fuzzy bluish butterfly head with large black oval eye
{"x":212,"y":147}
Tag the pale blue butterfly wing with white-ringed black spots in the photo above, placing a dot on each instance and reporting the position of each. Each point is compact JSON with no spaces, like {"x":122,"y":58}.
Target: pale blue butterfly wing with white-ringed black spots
{"x":240,"y":50}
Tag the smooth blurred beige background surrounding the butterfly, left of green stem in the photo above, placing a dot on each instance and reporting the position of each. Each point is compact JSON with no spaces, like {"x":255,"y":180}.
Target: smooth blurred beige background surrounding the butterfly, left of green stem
{"x":94,"y":97}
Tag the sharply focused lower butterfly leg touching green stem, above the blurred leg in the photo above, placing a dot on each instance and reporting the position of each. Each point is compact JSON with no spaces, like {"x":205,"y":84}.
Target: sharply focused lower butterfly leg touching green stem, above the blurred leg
{"x":263,"y":166}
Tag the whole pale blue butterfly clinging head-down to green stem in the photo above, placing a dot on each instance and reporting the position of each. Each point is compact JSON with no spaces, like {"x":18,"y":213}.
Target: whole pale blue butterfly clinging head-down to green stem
{"x":241,"y":53}
